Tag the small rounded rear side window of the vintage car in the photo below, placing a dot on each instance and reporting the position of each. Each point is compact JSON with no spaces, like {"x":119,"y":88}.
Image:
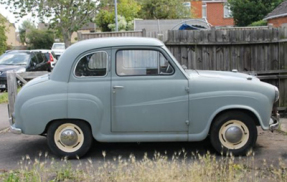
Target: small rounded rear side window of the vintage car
{"x":94,"y":64}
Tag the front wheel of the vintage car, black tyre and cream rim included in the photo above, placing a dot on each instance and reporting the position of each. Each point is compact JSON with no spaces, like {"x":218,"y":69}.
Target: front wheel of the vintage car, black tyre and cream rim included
{"x":229,"y":123}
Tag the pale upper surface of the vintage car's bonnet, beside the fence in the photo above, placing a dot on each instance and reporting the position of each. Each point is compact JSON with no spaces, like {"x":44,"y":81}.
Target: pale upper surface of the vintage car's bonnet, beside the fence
{"x":220,"y":74}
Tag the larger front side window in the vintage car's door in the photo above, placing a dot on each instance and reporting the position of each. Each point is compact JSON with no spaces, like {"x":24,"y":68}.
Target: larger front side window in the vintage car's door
{"x":142,"y":63}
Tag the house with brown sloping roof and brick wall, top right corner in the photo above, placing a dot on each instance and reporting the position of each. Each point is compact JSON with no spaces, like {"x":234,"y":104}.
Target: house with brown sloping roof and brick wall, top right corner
{"x":278,"y":17}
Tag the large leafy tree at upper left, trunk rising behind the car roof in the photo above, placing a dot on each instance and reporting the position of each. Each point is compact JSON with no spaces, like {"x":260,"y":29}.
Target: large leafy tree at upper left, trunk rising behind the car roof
{"x":64,"y":16}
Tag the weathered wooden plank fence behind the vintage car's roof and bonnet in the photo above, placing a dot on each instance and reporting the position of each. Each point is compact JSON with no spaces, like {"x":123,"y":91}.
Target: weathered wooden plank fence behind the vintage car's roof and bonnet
{"x":261,"y":51}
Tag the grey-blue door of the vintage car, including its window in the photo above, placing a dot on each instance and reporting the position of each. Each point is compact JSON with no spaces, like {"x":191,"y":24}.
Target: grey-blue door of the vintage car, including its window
{"x":148,"y":92}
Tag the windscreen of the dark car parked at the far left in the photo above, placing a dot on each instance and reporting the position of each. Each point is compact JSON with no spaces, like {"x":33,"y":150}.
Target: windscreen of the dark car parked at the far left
{"x":14,"y":59}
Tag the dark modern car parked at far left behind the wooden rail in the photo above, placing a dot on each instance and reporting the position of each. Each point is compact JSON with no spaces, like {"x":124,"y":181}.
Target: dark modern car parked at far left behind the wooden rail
{"x":21,"y":61}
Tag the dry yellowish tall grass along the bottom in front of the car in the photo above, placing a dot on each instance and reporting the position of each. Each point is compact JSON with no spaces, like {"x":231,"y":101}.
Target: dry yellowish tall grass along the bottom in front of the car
{"x":158,"y":168}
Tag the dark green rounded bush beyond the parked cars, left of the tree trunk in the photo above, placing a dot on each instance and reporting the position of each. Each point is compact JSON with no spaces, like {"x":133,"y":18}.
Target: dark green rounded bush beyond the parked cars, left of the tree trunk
{"x":40,"y":39}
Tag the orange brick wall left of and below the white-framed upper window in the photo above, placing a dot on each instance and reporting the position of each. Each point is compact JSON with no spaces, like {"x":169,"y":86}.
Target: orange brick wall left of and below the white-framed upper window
{"x":215,"y":15}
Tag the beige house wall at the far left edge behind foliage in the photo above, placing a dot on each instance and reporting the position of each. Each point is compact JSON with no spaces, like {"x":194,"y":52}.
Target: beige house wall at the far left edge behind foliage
{"x":11,"y":34}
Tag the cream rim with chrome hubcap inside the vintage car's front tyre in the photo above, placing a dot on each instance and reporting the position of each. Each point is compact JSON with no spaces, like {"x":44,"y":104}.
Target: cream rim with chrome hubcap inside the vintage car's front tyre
{"x":241,"y":133}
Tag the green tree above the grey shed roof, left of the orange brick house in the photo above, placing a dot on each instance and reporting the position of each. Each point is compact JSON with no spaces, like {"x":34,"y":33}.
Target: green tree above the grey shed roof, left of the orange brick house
{"x":163,"y":9}
